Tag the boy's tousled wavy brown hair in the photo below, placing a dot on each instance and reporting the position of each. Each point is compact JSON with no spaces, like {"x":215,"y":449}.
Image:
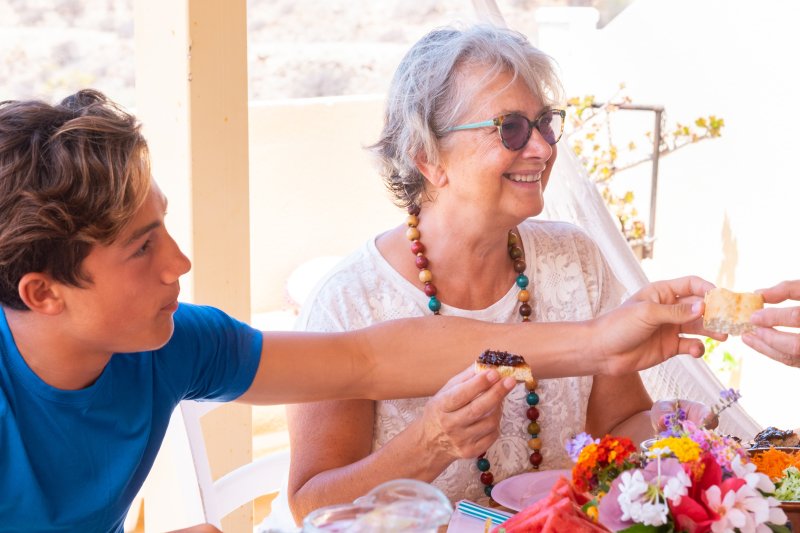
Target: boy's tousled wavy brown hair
{"x":72,"y":175}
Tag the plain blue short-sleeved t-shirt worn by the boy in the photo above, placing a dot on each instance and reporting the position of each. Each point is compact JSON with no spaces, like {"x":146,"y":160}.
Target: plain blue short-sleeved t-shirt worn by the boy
{"x":74,"y":460}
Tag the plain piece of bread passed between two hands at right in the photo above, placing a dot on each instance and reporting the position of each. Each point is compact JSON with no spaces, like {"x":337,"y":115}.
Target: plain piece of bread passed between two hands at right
{"x":729,"y":312}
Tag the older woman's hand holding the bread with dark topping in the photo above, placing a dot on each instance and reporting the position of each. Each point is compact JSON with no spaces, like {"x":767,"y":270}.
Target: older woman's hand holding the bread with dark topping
{"x":462,"y":419}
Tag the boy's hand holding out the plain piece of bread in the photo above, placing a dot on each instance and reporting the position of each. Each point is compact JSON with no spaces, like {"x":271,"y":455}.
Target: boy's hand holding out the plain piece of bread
{"x":646,"y":329}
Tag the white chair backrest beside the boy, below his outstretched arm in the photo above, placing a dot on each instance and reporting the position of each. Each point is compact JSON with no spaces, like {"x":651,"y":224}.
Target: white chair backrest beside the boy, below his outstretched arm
{"x":238,"y":487}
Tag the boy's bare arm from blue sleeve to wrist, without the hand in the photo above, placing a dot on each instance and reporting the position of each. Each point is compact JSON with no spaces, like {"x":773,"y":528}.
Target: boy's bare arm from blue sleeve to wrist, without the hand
{"x":407,"y":358}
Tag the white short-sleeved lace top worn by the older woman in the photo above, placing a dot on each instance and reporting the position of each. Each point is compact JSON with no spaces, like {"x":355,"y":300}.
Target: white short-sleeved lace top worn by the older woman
{"x":569,"y":280}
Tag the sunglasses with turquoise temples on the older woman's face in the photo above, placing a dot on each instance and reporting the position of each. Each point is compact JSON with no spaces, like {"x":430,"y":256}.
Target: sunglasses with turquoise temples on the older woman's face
{"x":515,"y":130}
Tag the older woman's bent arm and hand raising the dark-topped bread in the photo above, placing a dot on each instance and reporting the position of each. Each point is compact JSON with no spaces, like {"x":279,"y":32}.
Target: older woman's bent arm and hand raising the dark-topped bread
{"x":332,"y":441}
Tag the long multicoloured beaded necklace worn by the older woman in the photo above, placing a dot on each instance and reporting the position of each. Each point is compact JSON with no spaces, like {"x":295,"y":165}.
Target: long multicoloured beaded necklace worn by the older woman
{"x":434,"y":304}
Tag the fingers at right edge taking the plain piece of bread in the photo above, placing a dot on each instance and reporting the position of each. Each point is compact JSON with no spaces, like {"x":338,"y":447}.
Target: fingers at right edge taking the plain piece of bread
{"x":782,"y":346}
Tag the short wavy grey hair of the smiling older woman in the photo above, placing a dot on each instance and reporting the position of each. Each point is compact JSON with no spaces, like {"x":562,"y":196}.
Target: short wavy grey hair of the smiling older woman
{"x":425,"y":98}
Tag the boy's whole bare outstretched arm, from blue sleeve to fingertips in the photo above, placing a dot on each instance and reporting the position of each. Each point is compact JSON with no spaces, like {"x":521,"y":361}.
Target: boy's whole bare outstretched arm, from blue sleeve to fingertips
{"x":415,"y":357}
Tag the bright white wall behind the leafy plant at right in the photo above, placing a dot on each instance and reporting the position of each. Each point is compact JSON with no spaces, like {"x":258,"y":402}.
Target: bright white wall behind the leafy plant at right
{"x":727,"y":208}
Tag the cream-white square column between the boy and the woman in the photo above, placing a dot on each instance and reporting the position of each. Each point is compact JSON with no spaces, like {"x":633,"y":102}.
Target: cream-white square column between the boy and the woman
{"x":191,"y":92}
